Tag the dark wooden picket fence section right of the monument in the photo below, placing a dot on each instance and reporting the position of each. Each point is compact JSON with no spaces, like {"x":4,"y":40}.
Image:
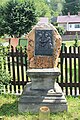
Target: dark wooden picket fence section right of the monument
{"x":70,"y":70}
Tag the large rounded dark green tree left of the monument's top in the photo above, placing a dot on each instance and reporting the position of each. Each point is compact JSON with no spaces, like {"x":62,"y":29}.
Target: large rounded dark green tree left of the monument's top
{"x":17,"y":17}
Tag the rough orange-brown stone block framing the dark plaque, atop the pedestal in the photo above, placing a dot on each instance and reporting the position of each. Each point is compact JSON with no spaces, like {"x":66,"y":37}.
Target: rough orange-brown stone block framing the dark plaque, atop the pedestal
{"x":44,"y":61}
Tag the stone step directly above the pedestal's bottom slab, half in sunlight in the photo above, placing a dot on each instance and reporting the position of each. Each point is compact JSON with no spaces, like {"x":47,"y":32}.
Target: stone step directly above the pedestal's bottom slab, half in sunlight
{"x":44,"y":99}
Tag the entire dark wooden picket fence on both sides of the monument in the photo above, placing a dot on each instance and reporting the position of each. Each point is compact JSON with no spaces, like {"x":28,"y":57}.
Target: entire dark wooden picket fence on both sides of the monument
{"x":69,"y":65}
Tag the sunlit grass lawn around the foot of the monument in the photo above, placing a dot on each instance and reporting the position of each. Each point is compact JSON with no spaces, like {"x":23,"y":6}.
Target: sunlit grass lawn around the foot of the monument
{"x":8,"y":110}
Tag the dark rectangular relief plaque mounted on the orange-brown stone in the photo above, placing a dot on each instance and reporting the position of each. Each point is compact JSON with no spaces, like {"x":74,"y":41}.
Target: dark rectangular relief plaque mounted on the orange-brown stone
{"x":43,"y":42}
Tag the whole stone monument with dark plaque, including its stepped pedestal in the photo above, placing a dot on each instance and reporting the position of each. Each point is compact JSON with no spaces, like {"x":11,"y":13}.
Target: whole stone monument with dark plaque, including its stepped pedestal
{"x":44,"y":44}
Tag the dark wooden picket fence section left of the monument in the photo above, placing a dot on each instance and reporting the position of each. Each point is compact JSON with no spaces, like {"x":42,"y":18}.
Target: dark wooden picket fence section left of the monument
{"x":16,"y":64}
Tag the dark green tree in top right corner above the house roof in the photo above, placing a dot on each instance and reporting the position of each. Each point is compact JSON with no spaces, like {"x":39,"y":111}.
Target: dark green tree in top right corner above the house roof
{"x":71,"y":6}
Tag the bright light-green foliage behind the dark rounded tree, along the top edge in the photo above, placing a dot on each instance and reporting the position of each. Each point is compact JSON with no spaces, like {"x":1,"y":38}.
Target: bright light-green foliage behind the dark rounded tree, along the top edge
{"x":46,"y":8}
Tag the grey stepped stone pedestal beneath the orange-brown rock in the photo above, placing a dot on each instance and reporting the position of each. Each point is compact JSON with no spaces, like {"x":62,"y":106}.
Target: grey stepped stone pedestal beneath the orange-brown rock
{"x":42,"y":91}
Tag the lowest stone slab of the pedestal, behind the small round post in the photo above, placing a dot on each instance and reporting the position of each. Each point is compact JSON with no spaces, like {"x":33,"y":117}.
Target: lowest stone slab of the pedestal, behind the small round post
{"x":34,"y":107}
